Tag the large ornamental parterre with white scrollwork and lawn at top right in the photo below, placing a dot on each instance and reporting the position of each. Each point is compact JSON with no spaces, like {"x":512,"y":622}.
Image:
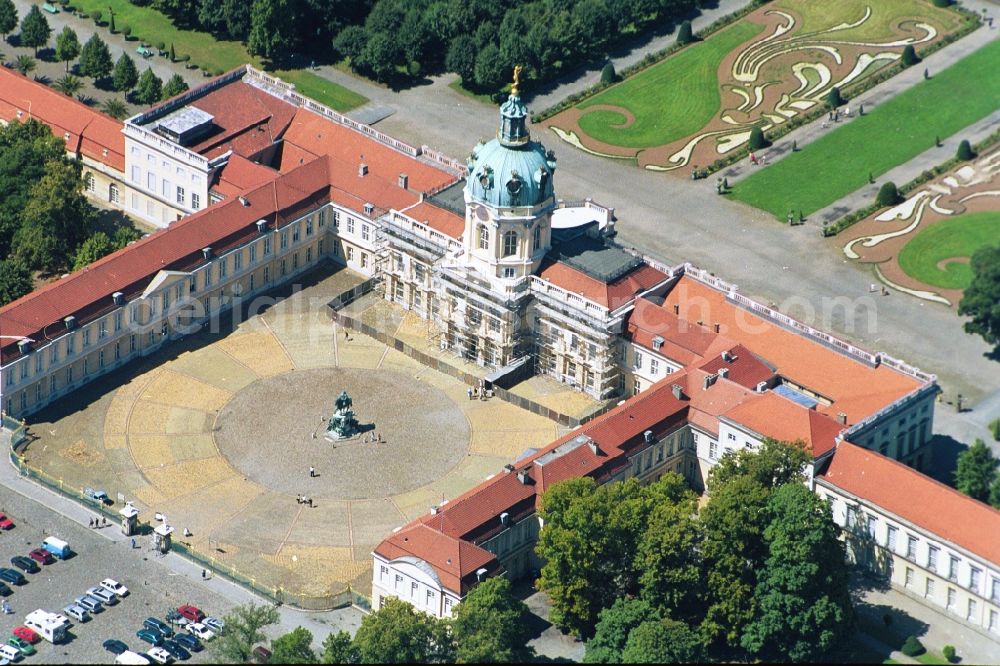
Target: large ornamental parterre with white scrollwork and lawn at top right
{"x":777,"y":63}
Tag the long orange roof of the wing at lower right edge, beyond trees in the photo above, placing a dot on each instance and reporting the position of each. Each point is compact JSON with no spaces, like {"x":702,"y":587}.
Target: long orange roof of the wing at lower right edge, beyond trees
{"x":917,"y":498}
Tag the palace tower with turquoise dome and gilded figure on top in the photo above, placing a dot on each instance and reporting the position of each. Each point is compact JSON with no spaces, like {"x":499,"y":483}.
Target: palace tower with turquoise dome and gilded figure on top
{"x":509,"y":197}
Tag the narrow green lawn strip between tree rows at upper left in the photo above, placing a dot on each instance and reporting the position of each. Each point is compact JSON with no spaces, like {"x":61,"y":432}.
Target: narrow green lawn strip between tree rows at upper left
{"x":210,"y":53}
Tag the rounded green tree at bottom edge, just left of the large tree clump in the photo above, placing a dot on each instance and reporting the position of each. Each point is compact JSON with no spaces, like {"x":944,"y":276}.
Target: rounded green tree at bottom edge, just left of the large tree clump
{"x":491,"y":625}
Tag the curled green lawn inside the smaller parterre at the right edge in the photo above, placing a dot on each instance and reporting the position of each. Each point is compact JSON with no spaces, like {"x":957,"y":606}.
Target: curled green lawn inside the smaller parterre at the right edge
{"x":952,"y":237}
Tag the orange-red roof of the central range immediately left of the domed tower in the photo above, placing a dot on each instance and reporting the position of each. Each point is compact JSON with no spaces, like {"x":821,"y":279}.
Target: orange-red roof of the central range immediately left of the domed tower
{"x":315,"y":134}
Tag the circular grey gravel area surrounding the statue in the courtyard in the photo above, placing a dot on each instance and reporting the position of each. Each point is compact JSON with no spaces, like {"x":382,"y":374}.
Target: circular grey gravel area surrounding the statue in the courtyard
{"x":266,"y":433}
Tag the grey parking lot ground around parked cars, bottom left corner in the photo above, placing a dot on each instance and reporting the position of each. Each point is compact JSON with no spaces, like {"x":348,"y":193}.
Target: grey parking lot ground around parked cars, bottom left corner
{"x":153,"y":588}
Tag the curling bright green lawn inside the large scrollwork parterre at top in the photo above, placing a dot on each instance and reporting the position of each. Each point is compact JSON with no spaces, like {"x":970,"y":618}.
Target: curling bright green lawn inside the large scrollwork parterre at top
{"x":670,"y":100}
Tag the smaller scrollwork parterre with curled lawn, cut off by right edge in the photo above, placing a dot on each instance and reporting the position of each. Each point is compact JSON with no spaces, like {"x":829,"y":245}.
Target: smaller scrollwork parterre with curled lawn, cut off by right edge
{"x":922,"y":246}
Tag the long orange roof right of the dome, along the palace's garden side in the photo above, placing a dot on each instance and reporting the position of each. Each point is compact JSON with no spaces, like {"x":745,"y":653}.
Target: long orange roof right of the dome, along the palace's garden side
{"x":855,"y":388}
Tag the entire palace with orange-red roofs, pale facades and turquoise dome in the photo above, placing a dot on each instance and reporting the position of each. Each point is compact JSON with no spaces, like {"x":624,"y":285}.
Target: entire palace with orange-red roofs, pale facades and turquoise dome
{"x":252,"y":184}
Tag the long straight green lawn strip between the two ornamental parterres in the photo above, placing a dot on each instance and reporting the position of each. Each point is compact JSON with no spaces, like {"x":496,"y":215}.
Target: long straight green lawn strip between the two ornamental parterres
{"x":890,"y":134}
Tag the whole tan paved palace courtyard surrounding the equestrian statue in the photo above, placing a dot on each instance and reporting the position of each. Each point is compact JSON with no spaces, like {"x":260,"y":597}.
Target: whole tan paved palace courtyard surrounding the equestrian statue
{"x":216,"y":433}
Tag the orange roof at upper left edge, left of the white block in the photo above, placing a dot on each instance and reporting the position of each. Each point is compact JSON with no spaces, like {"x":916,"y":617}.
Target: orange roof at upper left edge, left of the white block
{"x":91,"y":133}
